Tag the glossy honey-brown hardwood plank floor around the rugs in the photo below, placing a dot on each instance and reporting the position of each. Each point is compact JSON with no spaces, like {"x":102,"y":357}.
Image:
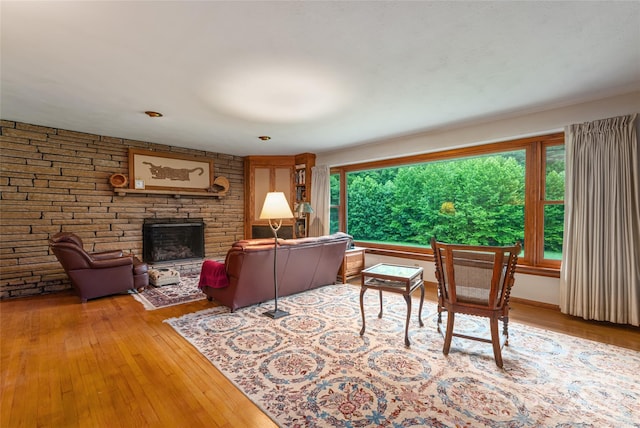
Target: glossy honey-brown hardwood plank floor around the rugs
{"x":111,"y":363}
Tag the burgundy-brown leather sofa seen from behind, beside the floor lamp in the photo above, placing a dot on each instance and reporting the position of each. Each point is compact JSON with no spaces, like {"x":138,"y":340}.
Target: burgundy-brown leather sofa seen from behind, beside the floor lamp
{"x":303,"y":264}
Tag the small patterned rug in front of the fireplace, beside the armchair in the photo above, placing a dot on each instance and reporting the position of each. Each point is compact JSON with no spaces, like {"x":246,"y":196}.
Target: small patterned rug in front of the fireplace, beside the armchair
{"x":161,"y":297}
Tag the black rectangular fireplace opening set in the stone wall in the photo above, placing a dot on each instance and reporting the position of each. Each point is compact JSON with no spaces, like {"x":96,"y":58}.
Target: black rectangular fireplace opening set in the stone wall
{"x":165,"y":240}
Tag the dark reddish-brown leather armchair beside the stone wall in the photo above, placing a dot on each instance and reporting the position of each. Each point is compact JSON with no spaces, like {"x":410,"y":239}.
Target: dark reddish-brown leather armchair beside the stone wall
{"x":98,"y":274}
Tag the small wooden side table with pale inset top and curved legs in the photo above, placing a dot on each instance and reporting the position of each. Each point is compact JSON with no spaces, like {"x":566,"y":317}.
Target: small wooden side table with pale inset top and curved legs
{"x":395,"y":279}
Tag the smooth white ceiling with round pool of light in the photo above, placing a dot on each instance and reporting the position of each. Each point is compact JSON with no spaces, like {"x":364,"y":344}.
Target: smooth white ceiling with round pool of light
{"x":313,"y":75}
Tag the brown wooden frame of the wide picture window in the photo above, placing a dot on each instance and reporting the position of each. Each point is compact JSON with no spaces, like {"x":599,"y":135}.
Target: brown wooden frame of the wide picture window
{"x":535,"y":173}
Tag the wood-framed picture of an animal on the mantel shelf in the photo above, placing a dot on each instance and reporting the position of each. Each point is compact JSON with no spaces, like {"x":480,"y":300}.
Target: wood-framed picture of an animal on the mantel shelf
{"x":170,"y":171}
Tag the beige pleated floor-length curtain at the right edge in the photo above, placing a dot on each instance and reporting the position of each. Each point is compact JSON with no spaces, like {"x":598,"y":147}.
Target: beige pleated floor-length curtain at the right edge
{"x":600,"y":274}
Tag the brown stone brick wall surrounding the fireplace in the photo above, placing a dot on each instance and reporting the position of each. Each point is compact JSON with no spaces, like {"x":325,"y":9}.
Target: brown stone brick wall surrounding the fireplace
{"x":54,"y":180}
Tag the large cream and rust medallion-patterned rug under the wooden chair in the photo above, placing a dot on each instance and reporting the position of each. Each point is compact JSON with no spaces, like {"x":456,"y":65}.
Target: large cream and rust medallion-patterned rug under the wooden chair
{"x":313,"y":368}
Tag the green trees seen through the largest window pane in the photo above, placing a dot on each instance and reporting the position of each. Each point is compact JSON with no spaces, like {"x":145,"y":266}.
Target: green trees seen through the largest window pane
{"x":483,"y":199}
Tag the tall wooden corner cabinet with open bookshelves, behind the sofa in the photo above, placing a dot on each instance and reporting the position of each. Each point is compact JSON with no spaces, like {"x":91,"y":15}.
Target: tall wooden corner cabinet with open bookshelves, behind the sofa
{"x":265,"y":174}
